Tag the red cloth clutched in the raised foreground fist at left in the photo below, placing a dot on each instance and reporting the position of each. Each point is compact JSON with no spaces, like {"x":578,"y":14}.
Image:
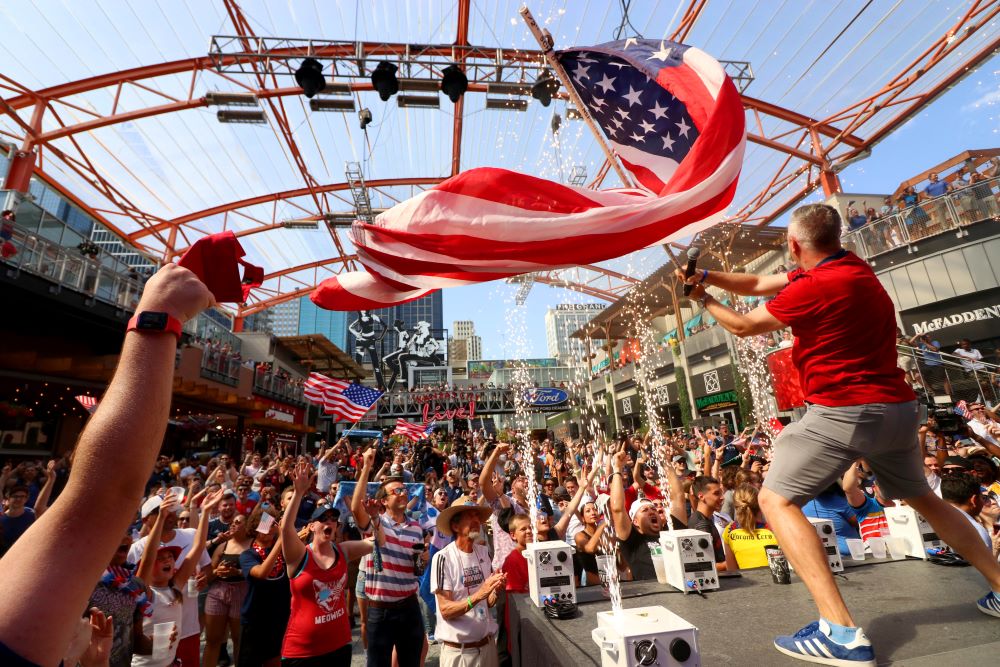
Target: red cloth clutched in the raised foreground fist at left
{"x":216,"y":260}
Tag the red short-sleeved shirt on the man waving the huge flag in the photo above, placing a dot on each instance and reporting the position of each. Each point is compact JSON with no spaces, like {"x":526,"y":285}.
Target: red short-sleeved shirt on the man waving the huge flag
{"x":845,"y":334}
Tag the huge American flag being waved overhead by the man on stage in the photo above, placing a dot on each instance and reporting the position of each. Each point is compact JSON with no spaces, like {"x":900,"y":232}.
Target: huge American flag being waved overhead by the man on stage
{"x":675,"y":121}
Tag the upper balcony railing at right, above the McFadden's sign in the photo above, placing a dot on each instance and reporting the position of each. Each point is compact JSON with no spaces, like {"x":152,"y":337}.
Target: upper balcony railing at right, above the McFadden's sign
{"x":950,"y":212}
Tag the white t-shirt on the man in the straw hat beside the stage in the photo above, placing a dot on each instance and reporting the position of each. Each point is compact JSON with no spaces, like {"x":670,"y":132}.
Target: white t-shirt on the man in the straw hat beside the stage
{"x":462,"y":573}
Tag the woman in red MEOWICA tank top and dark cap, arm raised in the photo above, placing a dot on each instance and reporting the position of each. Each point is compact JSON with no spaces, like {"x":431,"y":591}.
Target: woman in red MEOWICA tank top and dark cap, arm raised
{"x":319,"y":631}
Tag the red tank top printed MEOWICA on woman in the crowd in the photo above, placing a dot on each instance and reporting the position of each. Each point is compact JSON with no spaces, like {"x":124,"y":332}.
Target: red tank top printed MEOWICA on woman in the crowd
{"x":318,"y":623}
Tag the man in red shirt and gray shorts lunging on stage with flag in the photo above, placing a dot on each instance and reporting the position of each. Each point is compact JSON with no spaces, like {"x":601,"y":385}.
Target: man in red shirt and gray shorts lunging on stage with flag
{"x":858,"y":406}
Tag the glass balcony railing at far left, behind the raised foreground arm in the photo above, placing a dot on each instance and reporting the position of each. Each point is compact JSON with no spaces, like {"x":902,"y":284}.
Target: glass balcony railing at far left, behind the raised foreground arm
{"x":68,"y":268}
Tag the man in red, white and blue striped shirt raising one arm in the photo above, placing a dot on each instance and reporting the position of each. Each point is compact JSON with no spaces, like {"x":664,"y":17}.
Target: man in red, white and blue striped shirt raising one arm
{"x":394,"y":618}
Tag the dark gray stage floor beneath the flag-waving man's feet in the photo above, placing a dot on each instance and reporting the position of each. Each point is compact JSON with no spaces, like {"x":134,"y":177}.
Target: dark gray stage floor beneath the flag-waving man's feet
{"x":915,"y":613}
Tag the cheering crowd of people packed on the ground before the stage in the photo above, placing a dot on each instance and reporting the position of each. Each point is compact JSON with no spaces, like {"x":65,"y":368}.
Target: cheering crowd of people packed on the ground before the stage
{"x":251,"y":552}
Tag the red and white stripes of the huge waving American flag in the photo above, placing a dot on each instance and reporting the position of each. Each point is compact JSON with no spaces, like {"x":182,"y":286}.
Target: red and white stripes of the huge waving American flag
{"x":487,"y":224}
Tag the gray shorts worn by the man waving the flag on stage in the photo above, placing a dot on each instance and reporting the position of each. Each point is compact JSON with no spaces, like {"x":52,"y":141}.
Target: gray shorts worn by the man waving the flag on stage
{"x":813,"y":452}
